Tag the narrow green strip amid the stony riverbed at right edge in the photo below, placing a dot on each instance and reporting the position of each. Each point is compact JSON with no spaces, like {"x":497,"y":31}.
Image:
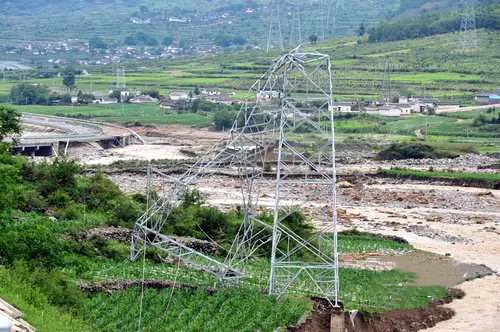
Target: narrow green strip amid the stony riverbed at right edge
{"x":489,"y":180}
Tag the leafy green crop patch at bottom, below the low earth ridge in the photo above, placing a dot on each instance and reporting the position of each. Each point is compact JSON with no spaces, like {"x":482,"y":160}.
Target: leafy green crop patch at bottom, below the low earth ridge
{"x":185,"y":310}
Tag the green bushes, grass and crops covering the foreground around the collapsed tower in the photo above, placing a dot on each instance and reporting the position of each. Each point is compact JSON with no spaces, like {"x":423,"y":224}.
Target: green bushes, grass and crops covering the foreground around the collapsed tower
{"x":45,"y":208}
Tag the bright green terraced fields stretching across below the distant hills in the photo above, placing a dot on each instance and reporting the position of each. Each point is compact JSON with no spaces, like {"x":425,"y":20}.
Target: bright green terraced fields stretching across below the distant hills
{"x":431,"y":67}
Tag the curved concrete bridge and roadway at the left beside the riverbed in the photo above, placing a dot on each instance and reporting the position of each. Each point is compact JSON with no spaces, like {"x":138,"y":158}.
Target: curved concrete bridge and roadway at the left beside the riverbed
{"x":45,"y":135}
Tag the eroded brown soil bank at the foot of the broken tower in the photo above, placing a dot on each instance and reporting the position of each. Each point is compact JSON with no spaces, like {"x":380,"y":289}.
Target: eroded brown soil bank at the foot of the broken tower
{"x":325,"y":318}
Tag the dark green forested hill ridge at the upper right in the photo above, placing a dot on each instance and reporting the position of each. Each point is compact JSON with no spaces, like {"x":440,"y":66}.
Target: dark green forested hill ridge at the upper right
{"x":487,"y":17}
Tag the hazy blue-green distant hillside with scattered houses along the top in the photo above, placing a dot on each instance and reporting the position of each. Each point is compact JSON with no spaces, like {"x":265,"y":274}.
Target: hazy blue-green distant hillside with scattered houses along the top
{"x":196,"y":22}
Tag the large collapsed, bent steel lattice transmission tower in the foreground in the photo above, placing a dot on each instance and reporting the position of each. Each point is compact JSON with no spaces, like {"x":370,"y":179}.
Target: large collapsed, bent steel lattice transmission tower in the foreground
{"x":281,"y":149}
